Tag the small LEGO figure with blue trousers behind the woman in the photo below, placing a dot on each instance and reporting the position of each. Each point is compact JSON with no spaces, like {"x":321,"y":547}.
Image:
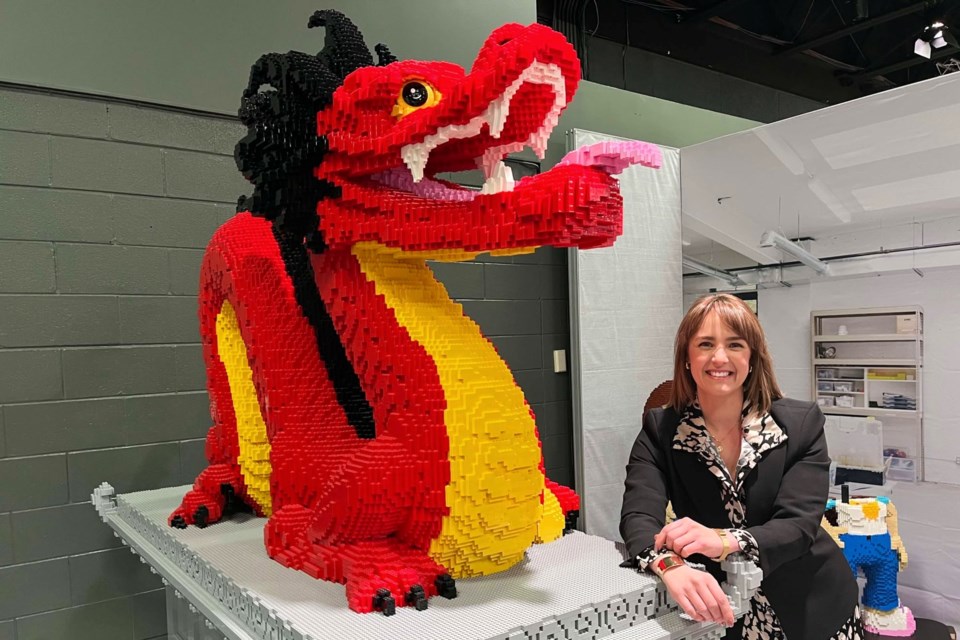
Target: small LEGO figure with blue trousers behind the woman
{"x":866,"y":530}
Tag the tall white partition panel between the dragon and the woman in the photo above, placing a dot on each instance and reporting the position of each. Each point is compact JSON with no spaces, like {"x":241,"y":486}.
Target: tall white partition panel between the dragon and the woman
{"x":625,"y":305}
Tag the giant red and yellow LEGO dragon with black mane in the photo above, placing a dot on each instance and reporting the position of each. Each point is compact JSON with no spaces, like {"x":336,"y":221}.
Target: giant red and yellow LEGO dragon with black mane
{"x":354,"y":404}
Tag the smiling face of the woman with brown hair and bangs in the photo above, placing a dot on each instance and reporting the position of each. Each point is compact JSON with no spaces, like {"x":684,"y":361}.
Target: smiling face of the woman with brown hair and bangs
{"x":719,"y":358}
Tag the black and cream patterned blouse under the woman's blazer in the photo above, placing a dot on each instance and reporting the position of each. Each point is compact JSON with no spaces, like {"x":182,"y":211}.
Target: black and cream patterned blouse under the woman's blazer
{"x":760,"y":434}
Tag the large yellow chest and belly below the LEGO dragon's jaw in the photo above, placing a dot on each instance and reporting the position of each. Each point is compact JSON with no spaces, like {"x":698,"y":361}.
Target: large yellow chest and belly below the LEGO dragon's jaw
{"x":494,"y":495}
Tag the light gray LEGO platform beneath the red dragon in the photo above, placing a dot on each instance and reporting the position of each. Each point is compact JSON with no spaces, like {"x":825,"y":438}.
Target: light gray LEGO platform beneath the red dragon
{"x":570,"y":588}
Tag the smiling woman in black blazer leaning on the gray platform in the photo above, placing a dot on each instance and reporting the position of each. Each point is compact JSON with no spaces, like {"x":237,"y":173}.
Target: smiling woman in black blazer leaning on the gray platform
{"x":746,"y":471}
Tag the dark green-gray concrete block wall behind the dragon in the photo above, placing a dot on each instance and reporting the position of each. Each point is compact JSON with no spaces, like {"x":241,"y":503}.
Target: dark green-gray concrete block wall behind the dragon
{"x":103,"y":220}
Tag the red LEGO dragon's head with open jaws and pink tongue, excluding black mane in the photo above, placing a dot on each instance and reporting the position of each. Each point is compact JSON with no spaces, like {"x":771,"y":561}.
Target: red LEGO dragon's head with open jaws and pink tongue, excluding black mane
{"x":385,"y":162}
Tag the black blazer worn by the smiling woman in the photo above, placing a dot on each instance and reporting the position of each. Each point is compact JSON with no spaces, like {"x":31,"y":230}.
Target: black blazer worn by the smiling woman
{"x":806,"y":578}
